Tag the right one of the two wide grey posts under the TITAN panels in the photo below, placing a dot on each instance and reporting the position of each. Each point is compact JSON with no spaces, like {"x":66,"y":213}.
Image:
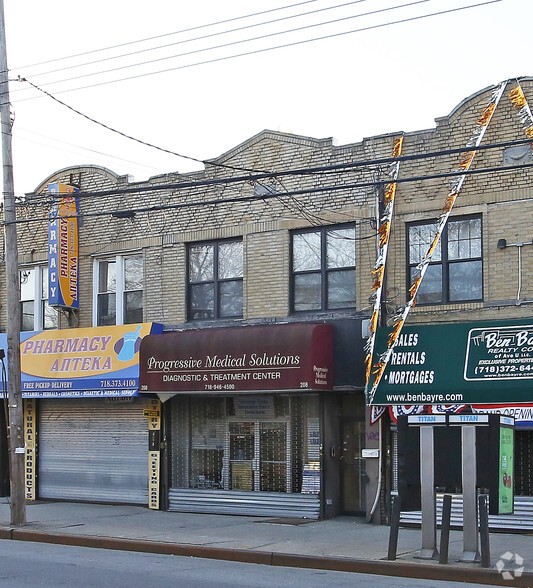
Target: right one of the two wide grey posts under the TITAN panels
{"x":470,"y":528}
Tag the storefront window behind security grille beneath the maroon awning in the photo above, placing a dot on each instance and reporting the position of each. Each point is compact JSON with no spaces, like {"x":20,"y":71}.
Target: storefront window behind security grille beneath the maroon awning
{"x":265,"y":443}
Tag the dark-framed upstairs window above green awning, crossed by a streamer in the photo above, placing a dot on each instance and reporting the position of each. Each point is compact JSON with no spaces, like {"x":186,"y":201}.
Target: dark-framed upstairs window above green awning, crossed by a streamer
{"x":455,"y":273}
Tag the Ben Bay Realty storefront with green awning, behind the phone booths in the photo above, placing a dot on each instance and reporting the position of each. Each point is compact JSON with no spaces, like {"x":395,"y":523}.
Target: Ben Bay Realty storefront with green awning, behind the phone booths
{"x":481,"y":367}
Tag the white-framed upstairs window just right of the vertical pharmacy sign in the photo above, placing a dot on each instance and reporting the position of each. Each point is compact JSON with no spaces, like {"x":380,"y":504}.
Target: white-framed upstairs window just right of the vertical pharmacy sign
{"x":119,"y":290}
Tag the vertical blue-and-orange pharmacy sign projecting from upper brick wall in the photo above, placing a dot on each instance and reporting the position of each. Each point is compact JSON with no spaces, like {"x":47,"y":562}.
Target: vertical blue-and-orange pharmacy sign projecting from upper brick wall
{"x":63,"y":261}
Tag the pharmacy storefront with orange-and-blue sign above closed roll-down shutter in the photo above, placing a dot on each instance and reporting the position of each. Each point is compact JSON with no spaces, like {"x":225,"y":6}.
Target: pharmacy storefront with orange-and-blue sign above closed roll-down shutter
{"x":86,"y":429}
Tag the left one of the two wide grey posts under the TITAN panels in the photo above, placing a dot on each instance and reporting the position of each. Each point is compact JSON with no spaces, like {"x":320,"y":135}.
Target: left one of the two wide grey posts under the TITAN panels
{"x":427,"y":482}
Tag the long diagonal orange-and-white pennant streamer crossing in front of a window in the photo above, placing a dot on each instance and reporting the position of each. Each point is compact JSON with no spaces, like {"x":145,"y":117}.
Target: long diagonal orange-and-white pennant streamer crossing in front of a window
{"x":482,"y":124}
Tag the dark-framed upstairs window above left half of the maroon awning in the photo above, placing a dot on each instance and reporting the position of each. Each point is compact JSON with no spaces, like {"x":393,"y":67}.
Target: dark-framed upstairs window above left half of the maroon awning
{"x":215,"y":280}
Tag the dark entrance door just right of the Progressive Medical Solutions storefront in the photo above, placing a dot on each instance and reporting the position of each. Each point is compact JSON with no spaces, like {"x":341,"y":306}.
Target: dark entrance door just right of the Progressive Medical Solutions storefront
{"x":352,"y":467}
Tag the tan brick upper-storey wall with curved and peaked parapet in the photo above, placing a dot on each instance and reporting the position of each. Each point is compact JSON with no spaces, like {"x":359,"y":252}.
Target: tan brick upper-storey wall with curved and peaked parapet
{"x":167,"y":220}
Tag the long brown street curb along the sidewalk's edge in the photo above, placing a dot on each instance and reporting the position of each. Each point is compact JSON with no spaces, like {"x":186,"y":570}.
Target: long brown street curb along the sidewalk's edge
{"x":381,"y":567}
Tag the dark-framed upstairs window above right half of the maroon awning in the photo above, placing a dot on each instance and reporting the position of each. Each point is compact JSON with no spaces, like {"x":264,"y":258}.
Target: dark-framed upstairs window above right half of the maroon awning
{"x":323,"y":269}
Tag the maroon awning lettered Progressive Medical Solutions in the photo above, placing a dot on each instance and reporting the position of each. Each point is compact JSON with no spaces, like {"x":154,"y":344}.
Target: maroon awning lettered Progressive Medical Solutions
{"x":240,"y":359}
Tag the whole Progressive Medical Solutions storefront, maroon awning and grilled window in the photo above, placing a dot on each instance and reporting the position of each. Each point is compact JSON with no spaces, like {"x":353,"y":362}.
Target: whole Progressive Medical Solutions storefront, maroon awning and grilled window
{"x":249,"y":411}
